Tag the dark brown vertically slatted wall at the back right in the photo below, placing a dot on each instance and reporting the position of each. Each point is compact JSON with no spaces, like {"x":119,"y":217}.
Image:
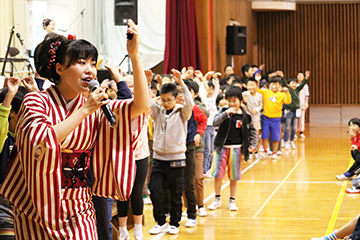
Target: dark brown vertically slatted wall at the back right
{"x":323,"y":38}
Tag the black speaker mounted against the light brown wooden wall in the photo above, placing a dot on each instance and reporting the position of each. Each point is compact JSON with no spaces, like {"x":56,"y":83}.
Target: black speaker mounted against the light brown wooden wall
{"x":235,"y":40}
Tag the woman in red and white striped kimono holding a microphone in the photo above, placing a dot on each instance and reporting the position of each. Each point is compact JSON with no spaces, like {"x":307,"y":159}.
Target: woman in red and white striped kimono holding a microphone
{"x":57,"y":128}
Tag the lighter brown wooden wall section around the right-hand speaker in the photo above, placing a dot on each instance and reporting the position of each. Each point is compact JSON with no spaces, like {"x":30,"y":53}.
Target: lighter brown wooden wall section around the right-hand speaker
{"x":222,"y":13}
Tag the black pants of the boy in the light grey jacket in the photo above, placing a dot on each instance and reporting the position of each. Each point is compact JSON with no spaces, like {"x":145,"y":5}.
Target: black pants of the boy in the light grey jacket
{"x":174,"y":177}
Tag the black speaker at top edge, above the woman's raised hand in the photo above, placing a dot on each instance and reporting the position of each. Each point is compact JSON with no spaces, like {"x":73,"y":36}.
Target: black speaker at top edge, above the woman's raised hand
{"x":124,"y":10}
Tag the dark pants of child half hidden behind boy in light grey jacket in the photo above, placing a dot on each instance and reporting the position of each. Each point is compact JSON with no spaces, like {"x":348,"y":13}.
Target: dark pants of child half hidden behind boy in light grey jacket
{"x":189,"y":187}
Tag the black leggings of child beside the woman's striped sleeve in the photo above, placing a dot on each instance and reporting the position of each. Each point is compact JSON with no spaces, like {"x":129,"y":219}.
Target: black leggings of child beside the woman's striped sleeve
{"x":136,"y":197}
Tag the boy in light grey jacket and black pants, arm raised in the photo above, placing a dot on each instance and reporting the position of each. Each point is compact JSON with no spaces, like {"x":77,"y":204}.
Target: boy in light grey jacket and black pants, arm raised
{"x":170,"y":132}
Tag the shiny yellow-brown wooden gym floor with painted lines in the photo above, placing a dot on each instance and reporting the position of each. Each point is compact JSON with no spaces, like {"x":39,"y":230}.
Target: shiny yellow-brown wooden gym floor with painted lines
{"x":294,"y":197}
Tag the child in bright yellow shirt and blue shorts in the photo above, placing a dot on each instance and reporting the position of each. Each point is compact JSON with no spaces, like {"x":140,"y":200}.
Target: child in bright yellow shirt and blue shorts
{"x":271,"y":118}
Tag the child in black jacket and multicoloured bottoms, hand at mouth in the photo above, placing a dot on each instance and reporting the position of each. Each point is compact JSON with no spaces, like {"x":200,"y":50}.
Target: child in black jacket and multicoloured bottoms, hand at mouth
{"x":236,"y":134}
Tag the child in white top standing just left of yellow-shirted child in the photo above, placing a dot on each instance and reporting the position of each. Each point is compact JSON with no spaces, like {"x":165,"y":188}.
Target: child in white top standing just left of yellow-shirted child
{"x":254,"y":105}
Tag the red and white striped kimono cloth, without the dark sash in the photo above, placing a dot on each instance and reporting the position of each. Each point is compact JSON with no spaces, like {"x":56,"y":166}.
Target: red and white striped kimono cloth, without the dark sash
{"x":43,"y":210}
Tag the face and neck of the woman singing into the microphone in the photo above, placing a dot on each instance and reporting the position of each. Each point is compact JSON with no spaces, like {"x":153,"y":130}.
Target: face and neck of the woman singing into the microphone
{"x":75,"y":79}
